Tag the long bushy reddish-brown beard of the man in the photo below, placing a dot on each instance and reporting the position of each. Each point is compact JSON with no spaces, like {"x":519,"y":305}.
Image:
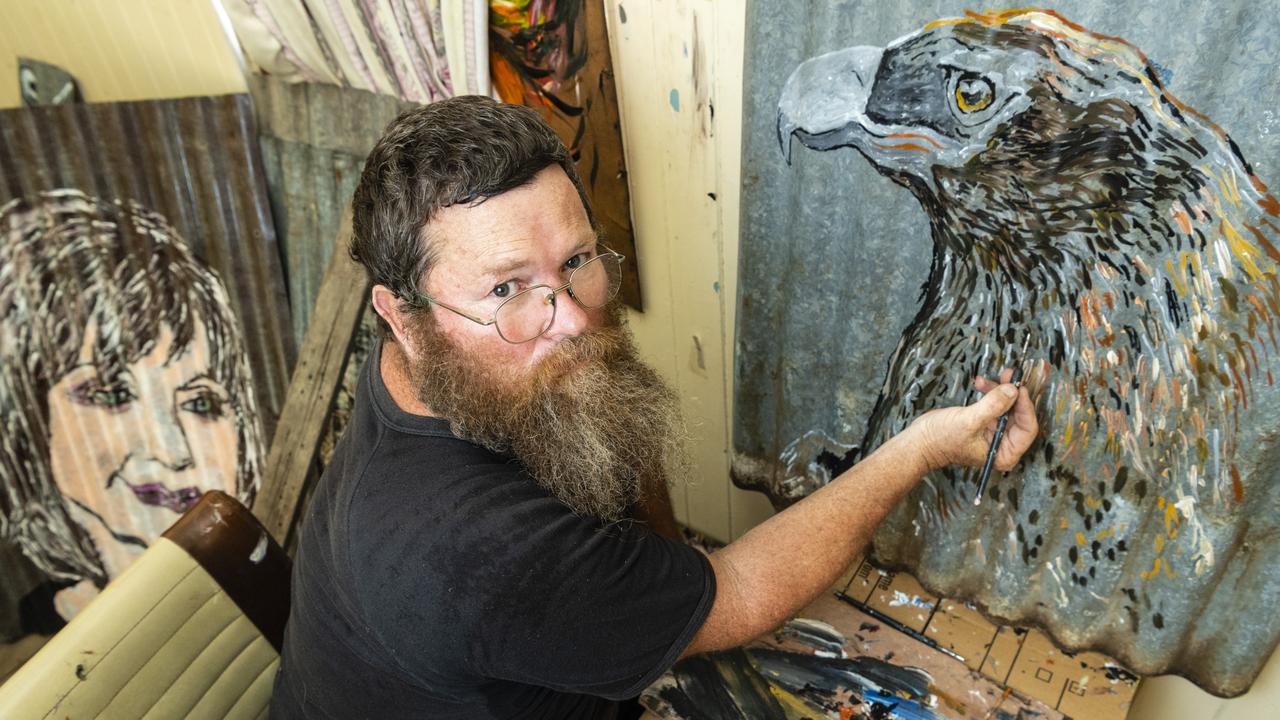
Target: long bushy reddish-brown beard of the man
{"x":592,"y":423}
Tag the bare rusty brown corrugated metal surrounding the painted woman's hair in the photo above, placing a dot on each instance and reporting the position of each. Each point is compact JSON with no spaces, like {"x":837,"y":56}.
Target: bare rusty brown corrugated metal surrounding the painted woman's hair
{"x":195,"y":162}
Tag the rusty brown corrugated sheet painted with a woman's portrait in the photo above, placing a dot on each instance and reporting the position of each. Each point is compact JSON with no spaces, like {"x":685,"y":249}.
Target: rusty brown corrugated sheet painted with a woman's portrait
{"x":145,"y":325}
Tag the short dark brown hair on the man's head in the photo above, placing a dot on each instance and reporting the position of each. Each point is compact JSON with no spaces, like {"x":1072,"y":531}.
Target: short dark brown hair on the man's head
{"x":464,"y":151}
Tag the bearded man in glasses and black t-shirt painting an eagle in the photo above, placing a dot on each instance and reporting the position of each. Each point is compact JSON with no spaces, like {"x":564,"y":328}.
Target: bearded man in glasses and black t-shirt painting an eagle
{"x":493,"y":536}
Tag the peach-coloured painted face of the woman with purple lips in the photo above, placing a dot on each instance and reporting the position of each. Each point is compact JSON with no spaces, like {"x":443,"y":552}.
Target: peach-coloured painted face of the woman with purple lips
{"x":132,"y":452}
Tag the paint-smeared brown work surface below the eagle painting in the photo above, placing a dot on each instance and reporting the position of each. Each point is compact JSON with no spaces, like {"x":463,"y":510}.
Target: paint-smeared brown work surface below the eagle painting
{"x":880,"y":646}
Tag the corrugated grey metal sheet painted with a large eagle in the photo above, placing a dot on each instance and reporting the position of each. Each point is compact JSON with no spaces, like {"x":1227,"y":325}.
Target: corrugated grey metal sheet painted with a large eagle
{"x":959,"y":185}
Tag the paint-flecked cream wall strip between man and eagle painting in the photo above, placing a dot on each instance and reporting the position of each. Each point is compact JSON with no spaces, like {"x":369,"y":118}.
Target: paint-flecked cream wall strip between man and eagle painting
{"x":675,"y":62}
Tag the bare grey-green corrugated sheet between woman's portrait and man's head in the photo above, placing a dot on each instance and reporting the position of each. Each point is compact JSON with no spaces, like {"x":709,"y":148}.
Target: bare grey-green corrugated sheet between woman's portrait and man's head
{"x":314,"y":142}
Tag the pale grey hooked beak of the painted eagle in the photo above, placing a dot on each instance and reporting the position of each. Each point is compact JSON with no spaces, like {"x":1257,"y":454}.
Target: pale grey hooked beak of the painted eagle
{"x":825,"y":99}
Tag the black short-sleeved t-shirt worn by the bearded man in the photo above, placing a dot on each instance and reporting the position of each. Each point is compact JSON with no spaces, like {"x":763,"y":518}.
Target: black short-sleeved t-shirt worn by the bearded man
{"x":437,"y":580}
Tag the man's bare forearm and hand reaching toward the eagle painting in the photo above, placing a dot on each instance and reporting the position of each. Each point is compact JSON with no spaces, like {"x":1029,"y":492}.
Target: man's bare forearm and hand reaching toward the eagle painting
{"x":778,"y":568}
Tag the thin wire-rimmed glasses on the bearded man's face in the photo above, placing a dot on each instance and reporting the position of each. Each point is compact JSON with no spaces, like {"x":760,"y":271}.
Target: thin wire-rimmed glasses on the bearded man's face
{"x":531,"y":313}
